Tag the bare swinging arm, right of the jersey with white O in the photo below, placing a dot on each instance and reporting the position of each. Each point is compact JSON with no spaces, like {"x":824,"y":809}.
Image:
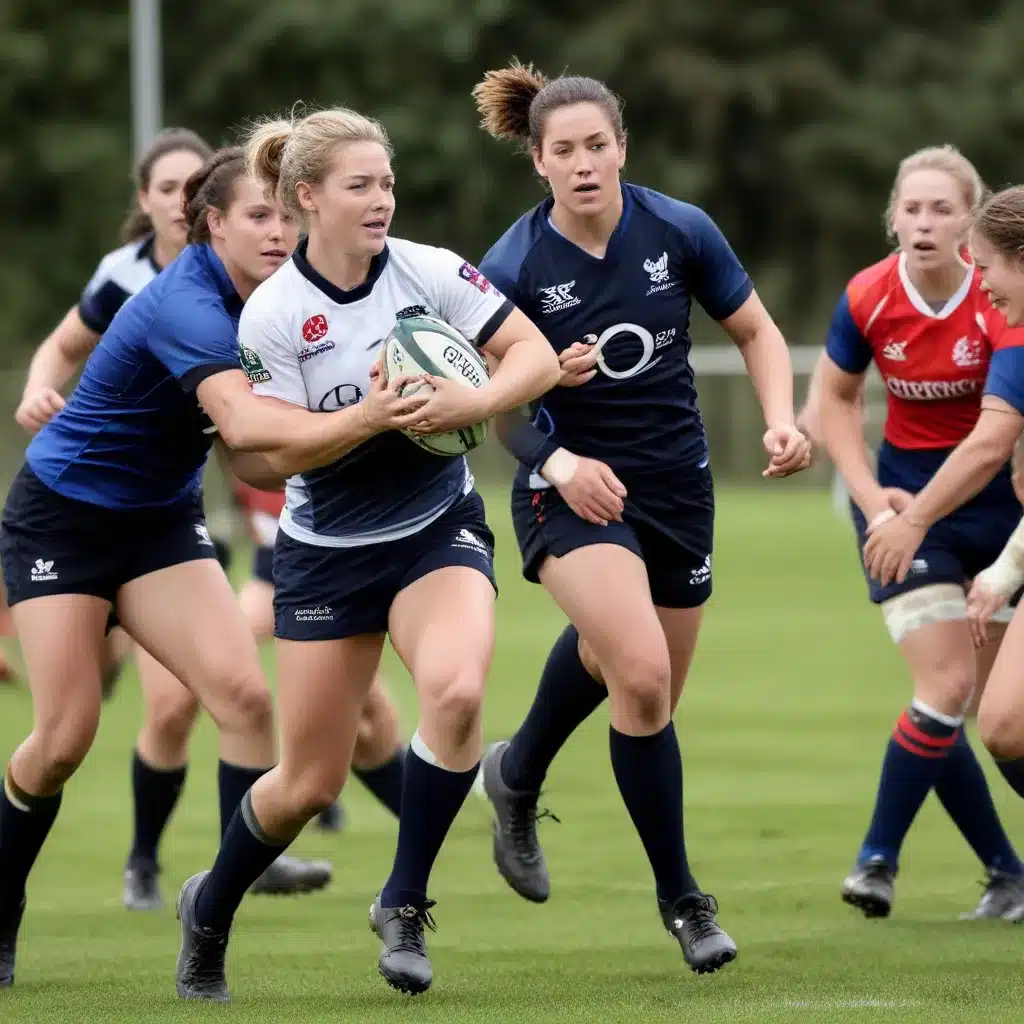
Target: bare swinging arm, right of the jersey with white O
{"x":769,"y":364}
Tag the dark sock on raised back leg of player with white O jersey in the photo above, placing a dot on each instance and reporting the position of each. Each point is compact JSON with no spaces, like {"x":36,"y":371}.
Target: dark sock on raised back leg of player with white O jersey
{"x":567,"y":698}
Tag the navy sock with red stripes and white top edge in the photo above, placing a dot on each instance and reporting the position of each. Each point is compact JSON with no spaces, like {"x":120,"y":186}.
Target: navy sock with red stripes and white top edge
{"x":915,"y":757}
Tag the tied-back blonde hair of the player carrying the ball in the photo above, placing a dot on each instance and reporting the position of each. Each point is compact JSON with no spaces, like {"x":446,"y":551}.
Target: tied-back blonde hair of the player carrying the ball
{"x":282,"y":153}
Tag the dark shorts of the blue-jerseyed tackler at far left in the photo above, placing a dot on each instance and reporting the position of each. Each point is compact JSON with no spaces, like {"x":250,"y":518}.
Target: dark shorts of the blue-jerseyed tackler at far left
{"x":51,"y":544}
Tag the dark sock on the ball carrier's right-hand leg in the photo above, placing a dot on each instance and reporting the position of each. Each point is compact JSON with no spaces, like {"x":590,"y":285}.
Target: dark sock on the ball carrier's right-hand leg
{"x":432,"y":797}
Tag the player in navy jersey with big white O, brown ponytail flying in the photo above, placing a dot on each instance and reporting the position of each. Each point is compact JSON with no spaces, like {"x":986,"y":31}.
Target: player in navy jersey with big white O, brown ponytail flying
{"x":614,"y":503}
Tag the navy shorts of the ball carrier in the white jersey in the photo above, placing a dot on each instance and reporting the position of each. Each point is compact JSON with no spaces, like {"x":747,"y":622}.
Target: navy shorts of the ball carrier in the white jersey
{"x":333,"y":593}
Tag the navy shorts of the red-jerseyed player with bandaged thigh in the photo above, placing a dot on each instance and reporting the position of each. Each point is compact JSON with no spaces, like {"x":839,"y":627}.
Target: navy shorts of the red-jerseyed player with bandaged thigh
{"x":957,"y":548}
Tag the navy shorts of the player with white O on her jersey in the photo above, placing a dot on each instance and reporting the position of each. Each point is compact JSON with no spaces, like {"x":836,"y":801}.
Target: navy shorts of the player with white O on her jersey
{"x":671,"y":527}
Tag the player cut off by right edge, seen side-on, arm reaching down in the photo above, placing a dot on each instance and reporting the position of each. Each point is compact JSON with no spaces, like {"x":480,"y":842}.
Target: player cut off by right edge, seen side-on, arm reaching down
{"x":976,"y":466}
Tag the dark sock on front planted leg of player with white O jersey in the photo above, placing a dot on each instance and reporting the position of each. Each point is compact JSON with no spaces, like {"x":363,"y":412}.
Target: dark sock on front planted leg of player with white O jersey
{"x":650,"y":774}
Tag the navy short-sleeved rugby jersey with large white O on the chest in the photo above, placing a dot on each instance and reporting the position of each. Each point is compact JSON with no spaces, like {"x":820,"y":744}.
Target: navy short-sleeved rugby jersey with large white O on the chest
{"x":639,"y":413}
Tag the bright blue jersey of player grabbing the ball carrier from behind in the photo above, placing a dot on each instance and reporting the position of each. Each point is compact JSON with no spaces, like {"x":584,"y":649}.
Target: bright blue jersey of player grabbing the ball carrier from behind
{"x":133,"y":435}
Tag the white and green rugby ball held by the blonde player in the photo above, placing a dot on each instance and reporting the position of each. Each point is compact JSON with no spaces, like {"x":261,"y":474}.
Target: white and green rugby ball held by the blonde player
{"x":426,"y":346}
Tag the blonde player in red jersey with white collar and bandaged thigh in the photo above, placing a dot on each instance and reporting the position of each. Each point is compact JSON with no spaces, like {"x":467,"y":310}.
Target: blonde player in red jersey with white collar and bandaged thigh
{"x":922,"y":318}
